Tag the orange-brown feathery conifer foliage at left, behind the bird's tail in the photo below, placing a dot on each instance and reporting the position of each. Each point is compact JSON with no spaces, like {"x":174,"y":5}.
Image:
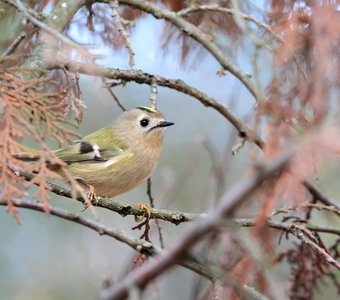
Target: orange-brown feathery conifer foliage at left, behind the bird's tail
{"x":32,"y":109}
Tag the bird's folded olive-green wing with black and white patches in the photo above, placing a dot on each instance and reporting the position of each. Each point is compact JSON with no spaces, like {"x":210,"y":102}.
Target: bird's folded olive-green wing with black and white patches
{"x":96,"y":147}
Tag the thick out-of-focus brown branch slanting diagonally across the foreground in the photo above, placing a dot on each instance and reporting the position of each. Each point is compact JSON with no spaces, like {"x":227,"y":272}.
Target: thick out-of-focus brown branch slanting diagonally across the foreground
{"x":228,"y":204}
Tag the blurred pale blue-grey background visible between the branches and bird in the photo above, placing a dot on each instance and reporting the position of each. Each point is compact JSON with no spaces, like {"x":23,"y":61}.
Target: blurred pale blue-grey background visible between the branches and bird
{"x":49,"y":258}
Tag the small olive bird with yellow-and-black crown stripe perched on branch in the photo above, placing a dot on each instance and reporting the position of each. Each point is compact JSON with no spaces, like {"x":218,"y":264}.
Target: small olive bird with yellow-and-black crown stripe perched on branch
{"x":118,"y":157}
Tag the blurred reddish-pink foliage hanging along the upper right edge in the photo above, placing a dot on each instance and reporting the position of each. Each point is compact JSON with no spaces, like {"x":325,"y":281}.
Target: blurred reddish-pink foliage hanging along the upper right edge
{"x":302,"y":89}
